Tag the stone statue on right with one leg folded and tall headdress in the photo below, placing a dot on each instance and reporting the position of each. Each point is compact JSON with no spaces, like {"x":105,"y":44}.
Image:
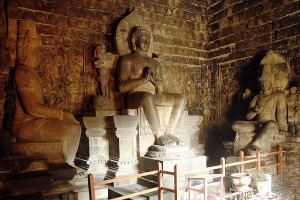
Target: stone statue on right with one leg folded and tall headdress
{"x":269,"y":108}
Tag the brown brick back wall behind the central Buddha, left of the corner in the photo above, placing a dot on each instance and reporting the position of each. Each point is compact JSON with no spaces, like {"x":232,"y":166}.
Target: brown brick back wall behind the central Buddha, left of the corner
{"x":71,"y":29}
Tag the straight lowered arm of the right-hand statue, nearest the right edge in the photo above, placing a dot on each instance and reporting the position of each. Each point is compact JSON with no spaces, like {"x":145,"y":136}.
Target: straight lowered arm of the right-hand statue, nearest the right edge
{"x":281,"y":112}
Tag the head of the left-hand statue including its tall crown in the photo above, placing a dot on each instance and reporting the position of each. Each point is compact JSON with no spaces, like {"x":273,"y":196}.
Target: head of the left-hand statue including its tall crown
{"x":29,"y":43}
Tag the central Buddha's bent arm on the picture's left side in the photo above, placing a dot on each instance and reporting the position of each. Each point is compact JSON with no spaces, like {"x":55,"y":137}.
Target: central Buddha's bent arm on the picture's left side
{"x":125,"y":83}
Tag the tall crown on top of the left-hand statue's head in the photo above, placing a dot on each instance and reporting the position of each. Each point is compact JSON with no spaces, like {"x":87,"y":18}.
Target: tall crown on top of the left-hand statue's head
{"x":27,"y":28}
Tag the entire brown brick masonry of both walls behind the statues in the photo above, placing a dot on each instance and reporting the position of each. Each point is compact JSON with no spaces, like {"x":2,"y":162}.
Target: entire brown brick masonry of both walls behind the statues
{"x":212,"y":47}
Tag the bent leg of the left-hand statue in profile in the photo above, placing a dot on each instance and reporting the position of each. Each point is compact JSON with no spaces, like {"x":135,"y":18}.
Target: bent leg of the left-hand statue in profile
{"x":50,"y":130}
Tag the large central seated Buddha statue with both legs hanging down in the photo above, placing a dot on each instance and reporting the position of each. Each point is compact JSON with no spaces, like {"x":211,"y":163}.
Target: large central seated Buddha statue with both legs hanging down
{"x":140,"y":77}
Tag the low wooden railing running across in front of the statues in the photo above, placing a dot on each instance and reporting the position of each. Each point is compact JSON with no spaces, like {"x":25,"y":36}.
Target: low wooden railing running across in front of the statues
{"x":222,"y":167}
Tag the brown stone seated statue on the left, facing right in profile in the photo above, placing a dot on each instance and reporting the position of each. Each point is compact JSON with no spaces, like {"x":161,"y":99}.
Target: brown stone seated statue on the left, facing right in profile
{"x":34,"y":121}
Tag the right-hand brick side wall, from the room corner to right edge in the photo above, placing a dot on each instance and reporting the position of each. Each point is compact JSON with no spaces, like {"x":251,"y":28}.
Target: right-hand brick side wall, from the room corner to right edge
{"x":240,"y":33}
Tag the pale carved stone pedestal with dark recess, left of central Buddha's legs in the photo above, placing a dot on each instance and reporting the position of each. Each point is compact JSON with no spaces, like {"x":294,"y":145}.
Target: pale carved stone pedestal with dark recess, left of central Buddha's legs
{"x":112,"y":146}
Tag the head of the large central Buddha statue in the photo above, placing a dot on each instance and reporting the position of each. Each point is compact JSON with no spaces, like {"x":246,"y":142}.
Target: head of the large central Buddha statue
{"x":140,"y":39}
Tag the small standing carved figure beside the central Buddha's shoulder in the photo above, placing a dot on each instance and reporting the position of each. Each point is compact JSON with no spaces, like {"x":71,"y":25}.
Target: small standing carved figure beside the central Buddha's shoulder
{"x":103,"y":64}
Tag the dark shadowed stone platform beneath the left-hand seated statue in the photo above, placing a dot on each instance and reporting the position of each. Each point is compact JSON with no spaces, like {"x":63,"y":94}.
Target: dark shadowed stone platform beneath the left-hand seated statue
{"x":19,"y":180}
